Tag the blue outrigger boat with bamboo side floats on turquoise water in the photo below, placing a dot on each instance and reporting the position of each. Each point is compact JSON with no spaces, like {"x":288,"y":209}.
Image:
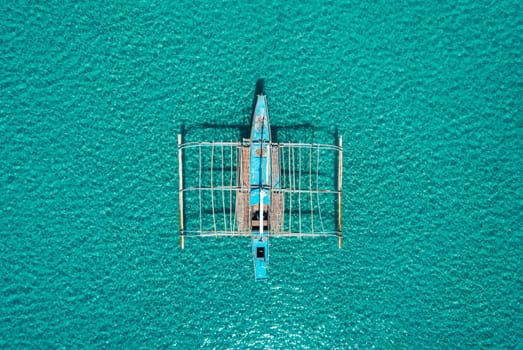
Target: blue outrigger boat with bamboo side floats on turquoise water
{"x":260,"y":189}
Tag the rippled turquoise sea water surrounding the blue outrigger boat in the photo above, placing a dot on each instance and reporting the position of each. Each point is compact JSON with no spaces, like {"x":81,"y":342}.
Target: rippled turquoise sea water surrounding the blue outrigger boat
{"x":428,"y":97}
